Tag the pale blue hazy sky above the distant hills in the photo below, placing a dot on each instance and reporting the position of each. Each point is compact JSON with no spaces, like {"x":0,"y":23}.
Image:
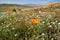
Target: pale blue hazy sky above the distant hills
{"x":40,"y":2}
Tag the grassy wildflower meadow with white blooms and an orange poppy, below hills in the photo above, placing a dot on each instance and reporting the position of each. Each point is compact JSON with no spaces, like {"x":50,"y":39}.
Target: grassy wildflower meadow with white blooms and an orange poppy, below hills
{"x":37,"y":24}
